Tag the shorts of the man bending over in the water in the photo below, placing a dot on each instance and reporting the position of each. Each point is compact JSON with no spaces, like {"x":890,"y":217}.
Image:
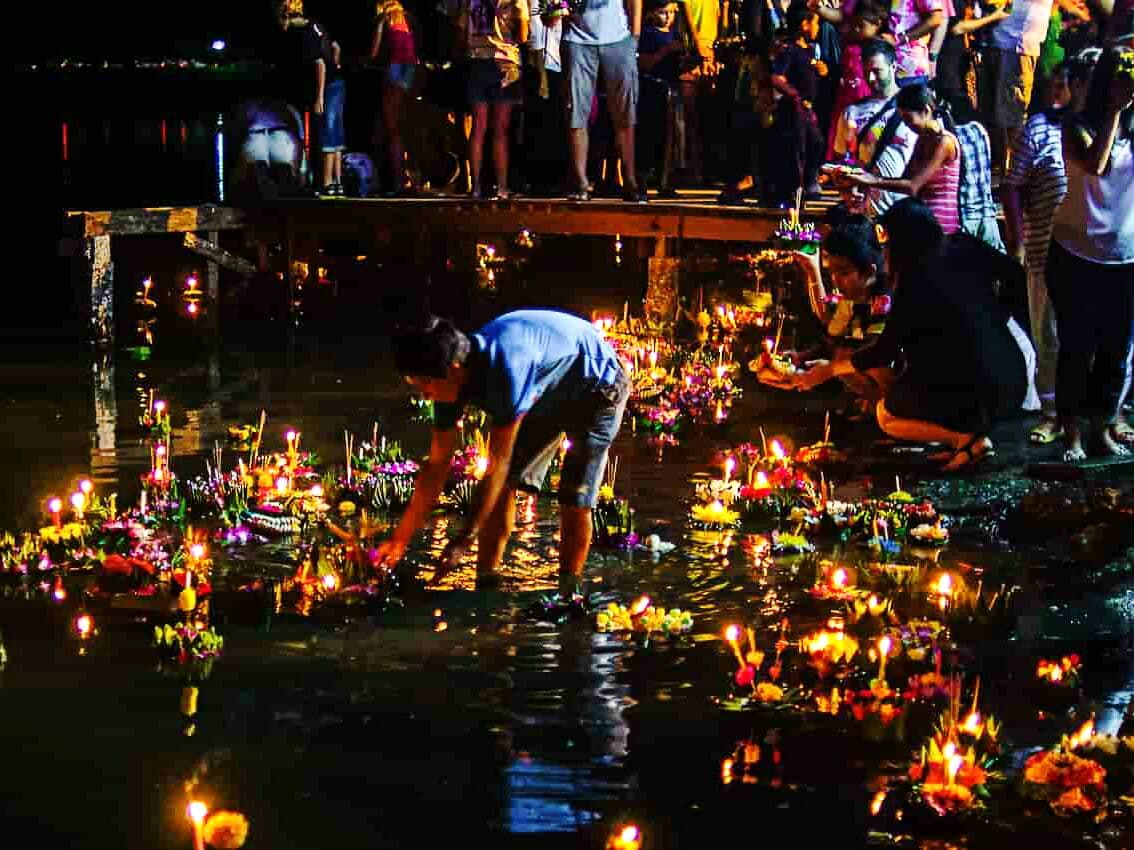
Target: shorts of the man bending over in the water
{"x":591,"y":426}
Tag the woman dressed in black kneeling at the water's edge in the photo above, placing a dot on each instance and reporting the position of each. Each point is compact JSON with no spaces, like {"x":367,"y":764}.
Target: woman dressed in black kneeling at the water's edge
{"x":963,"y":367}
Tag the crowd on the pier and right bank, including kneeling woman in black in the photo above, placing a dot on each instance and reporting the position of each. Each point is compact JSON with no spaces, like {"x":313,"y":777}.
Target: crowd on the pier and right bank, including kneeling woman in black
{"x":912,"y":110}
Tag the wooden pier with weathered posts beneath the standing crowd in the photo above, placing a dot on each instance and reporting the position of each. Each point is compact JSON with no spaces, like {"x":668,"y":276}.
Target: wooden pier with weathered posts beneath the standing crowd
{"x":692,"y":216}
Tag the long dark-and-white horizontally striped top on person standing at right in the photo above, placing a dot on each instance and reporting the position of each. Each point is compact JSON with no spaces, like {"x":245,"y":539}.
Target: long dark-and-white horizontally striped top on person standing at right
{"x":1038,"y":172}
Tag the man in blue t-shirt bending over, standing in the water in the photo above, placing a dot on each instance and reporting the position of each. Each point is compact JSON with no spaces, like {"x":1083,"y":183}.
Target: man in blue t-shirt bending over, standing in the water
{"x":538,"y":375}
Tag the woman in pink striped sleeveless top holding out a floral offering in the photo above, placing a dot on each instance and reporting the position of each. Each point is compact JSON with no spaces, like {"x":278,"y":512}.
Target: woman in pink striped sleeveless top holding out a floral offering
{"x":934,"y":174}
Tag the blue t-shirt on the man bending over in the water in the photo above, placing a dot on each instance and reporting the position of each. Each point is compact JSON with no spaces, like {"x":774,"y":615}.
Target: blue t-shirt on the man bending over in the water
{"x":532,"y":361}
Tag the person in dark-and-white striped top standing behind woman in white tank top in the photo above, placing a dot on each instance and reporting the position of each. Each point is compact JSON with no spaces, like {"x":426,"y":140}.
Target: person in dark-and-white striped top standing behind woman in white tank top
{"x":1033,"y":192}
